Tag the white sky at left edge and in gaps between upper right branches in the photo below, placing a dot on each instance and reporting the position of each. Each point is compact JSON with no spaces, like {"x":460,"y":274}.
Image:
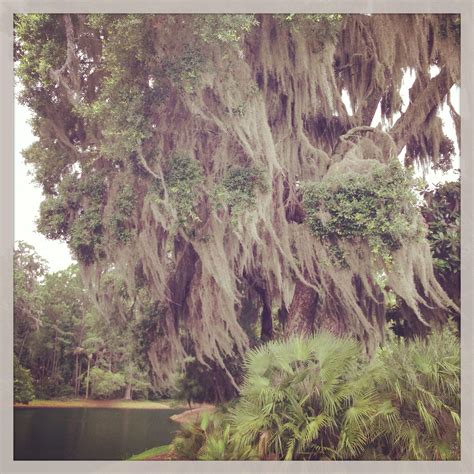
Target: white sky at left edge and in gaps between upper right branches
{"x":28,"y":195}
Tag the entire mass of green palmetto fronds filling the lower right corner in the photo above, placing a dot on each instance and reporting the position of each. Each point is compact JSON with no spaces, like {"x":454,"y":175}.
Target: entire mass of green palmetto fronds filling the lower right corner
{"x":317,"y":398}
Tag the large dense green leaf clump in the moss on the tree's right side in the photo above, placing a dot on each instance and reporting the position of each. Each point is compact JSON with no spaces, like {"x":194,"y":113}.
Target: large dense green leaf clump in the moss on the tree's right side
{"x":379,"y":208}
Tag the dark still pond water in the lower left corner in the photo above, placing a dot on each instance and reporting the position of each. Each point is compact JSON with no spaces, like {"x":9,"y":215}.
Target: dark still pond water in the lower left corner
{"x":89,"y":433}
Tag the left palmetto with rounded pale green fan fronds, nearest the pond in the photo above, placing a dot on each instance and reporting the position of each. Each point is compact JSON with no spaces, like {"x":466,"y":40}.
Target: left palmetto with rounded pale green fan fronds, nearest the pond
{"x":295,"y":395}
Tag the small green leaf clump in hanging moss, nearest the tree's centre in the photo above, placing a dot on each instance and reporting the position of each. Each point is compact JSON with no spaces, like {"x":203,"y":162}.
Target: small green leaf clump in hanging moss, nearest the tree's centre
{"x":238,"y":189}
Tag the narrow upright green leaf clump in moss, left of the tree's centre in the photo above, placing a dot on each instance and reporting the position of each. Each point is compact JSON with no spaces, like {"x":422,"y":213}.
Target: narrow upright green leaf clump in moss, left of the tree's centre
{"x":184,"y":178}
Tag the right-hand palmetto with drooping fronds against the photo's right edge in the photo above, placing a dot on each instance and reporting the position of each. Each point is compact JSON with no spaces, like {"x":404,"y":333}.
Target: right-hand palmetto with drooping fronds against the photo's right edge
{"x":420,"y":381}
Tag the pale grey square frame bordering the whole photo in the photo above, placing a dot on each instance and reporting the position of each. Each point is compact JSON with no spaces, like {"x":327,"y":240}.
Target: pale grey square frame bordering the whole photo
{"x":8,"y":7}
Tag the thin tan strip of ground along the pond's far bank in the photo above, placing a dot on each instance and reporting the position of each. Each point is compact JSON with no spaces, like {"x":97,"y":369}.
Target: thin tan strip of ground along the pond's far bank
{"x":83,"y":403}
